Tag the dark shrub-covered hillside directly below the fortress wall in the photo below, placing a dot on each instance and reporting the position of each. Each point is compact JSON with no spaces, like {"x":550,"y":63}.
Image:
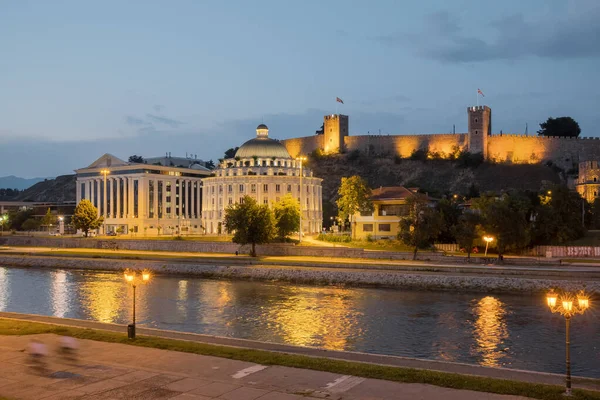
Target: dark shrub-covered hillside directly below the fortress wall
{"x":436,"y":177}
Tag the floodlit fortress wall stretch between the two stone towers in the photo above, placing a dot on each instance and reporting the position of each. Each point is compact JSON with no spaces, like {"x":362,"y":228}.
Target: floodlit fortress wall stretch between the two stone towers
{"x":404,"y":145}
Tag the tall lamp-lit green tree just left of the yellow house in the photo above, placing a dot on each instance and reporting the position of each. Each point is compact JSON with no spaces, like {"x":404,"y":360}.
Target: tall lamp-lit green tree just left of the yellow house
{"x":355,"y":196}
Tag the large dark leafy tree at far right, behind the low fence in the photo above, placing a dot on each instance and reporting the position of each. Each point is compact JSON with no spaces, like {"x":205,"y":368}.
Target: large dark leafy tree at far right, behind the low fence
{"x":558,"y":218}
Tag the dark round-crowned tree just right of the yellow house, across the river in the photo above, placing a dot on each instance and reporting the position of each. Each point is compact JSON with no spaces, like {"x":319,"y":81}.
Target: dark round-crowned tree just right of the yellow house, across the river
{"x":422,"y":225}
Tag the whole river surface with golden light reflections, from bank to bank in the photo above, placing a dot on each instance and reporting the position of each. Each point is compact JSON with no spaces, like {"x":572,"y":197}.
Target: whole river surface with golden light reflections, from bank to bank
{"x":500,"y":330}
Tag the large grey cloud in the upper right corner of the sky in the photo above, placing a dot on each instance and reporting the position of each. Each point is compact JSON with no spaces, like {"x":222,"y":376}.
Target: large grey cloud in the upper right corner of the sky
{"x":508,"y":38}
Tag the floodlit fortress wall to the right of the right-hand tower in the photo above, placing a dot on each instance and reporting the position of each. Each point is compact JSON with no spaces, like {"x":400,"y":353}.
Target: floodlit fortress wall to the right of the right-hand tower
{"x":562,"y":151}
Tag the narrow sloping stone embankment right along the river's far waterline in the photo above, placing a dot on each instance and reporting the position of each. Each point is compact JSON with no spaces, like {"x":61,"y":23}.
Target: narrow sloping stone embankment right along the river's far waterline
{"x":323,"y":276}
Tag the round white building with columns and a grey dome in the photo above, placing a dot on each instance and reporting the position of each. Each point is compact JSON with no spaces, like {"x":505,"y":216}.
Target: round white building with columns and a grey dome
{"x":263,"y":169}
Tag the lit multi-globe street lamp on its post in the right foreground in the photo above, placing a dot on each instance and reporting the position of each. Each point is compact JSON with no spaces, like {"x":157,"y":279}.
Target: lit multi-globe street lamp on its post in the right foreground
{"x":564,"y":304}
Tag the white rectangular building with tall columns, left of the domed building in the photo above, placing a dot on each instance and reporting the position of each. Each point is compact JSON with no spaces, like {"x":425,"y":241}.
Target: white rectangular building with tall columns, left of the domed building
{"x":142,"y":198}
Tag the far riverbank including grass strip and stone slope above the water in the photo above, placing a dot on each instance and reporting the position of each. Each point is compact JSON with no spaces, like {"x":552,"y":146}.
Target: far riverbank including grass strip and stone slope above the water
{"x":421,"y":276}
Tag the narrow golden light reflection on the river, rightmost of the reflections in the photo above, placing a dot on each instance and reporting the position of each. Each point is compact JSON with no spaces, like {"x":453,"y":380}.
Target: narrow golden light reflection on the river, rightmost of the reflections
{"x":489,"y":330}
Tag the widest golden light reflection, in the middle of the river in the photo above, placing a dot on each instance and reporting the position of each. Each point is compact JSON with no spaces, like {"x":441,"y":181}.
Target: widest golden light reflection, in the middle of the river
{"x":317,"y":317}
